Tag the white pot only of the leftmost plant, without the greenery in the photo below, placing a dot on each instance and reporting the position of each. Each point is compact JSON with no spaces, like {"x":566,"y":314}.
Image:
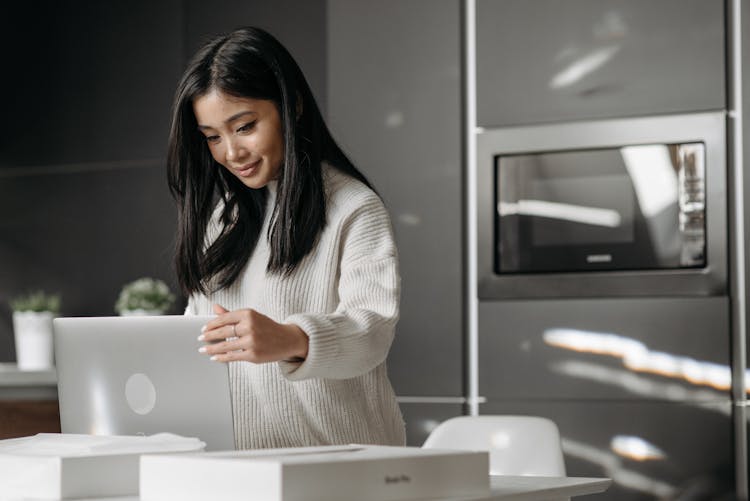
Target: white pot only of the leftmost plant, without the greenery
{"x":33,"y":334}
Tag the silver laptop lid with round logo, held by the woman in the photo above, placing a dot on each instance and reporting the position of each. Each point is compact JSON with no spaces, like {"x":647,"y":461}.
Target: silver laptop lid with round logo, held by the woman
{"x":140,"y":376}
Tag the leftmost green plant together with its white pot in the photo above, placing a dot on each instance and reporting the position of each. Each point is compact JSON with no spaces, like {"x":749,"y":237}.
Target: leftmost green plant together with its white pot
{"x":32,"y":327}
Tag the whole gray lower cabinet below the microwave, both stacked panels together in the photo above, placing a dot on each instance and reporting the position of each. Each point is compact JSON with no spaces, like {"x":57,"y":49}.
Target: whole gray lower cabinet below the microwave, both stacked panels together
{"x":639,"y":387}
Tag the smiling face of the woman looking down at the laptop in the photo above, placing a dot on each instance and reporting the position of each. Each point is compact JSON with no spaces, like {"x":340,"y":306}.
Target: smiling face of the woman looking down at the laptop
{"x":243,"y":134}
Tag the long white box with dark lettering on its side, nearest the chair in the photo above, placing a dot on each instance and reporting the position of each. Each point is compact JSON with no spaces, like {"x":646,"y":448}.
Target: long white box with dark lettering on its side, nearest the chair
{"x":333,"y":473}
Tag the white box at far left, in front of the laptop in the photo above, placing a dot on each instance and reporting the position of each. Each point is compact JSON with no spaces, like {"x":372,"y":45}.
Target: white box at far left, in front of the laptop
{"x":60,"y":466}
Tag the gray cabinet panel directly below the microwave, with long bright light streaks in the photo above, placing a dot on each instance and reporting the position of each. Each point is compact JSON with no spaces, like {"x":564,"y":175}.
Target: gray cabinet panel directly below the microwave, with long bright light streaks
{"x":653,"y":348}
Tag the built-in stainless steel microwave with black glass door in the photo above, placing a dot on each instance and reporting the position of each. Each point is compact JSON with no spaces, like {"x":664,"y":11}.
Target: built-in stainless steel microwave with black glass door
{"x":622,"y":207}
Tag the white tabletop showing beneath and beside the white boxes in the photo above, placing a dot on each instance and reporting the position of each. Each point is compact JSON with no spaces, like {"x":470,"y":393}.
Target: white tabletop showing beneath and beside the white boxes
{"x":509,"y":488}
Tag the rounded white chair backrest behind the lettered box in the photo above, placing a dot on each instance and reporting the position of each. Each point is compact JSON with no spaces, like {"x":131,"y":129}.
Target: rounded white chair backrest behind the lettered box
{"x":518,"y":445}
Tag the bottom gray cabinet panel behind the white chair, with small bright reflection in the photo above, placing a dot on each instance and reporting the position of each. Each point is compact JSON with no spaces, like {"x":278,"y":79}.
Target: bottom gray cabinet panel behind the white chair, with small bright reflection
{"x":650,"y":450}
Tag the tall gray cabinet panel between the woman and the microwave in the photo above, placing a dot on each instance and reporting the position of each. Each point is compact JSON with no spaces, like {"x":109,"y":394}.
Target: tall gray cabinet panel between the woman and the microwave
{"x":394,"y":105}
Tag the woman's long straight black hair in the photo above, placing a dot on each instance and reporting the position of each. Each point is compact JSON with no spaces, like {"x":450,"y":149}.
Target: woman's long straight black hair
{"x":250,"y":63}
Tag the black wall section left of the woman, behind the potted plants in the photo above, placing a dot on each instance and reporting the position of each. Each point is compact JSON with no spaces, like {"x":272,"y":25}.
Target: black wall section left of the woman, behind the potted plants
{"x":84,"y":206}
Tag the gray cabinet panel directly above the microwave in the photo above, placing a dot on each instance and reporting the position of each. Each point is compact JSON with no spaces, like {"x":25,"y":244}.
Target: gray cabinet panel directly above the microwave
{"x":560,"y":60}
